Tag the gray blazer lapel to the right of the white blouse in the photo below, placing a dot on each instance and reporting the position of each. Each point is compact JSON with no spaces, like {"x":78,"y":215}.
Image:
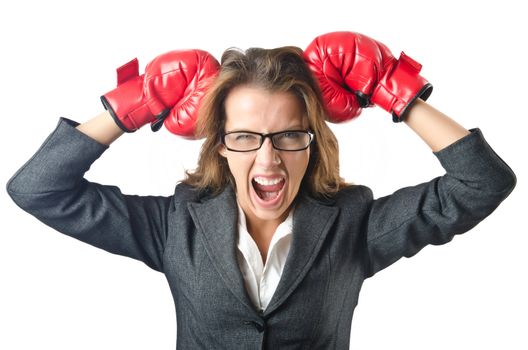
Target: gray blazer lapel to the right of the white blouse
{"x":311,"y":224}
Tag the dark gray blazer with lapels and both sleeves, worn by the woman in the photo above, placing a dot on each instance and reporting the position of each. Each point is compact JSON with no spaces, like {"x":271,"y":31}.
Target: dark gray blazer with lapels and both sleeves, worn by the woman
{"x":190,"y":237}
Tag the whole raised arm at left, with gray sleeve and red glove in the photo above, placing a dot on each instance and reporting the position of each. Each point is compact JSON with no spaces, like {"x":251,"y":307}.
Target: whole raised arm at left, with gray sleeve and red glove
{"x":52,"y":186}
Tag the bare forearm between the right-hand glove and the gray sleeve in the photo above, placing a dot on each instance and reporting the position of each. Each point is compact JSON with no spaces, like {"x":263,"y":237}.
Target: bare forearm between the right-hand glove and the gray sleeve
{"x":434,"y":127}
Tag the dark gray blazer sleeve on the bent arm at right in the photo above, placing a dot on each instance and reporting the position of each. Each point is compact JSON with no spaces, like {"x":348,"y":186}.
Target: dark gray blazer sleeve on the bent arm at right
{"x":477,"y":180}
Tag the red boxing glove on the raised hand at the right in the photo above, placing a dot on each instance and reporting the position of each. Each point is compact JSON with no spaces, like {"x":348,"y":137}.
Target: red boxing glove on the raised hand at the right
{"x":357,"y":71}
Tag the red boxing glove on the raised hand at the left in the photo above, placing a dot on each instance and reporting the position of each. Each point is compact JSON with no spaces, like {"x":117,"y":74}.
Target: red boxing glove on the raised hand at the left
{"x":168,"y":93}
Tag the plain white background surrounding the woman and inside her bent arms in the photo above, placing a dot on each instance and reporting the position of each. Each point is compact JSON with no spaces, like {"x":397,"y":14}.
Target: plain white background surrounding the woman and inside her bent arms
{"x":57,"y":58}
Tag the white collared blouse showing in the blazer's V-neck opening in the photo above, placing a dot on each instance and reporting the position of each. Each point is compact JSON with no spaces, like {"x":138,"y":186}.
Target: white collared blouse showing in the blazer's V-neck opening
{"x":261,"y":279}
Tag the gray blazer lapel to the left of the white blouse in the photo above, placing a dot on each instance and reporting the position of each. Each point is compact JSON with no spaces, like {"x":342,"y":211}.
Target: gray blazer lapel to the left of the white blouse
{"x":216,"y":220}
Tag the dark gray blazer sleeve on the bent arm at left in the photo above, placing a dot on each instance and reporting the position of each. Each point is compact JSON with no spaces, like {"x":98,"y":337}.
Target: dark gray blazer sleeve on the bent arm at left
{"x":51,"y":186}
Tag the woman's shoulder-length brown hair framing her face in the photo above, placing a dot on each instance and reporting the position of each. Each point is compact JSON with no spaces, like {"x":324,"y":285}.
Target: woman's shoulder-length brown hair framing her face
{"x":277,"y":70}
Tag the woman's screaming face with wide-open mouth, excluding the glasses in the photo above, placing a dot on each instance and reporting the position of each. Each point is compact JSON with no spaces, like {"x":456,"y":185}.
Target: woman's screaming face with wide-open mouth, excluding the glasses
{"x":267,"y":180}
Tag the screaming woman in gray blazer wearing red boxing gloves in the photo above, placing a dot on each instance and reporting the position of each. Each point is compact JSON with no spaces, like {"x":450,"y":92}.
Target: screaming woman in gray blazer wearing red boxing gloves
{"x":264,"y":245}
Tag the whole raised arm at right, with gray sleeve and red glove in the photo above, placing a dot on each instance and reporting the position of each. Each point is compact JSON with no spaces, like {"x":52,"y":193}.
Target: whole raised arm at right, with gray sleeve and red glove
{"x":356,"y":71}
